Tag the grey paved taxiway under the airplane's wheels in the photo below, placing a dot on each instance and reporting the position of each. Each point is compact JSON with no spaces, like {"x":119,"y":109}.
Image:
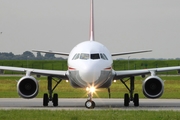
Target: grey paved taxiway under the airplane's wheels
{"x":78,"y":104}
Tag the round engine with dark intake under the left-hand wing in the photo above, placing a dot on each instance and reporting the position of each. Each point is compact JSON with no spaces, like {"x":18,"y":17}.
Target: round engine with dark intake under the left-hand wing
{"x":28,"y":87}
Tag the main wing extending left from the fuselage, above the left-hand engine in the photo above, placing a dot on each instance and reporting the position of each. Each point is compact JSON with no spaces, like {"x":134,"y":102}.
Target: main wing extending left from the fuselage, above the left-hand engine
{"x":54,"y":73}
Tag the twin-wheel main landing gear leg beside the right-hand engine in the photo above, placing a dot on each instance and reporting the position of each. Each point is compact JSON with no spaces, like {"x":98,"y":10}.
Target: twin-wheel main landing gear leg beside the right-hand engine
{"x":131,"y":96}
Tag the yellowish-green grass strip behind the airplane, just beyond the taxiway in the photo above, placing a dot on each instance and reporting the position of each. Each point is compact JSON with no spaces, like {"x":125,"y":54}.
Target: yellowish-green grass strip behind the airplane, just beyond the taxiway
{"x":8,"y":88}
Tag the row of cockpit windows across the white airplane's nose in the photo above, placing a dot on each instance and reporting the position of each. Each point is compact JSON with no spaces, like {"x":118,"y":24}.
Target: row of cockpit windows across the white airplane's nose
{"x":86,"y":56}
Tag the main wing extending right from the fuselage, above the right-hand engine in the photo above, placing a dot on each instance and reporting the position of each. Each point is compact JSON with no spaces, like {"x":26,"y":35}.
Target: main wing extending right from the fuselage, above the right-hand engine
{"x":128,"y":73}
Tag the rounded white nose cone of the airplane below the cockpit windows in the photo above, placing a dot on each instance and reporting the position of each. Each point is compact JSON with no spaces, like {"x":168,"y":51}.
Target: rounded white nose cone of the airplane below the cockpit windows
{"x":90,"y":74}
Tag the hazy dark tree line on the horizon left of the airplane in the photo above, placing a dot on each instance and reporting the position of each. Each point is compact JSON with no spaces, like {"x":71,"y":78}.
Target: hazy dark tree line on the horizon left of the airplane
{"x":27,"y":55}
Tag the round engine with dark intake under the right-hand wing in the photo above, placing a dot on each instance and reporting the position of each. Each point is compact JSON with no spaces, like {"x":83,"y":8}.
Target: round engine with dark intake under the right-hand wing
{"x":153,"y":87}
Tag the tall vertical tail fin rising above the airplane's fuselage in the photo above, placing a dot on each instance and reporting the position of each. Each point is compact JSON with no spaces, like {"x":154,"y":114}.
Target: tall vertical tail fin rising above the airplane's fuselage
{"x":92,"y":22}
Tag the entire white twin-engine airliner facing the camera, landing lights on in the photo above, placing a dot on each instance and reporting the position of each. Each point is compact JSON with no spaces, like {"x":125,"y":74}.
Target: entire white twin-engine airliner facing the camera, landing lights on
{"x":90,"y":67}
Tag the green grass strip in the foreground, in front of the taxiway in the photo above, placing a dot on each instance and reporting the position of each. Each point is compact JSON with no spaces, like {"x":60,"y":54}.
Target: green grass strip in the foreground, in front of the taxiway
{"x":88,"y":115}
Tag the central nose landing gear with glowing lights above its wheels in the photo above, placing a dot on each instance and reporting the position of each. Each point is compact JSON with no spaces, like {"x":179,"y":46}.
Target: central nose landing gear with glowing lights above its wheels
{"x":89,"y":103}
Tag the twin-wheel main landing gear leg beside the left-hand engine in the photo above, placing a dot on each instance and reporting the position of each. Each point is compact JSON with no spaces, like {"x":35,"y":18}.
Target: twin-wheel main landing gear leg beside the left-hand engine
{"x":50,"y":96}
